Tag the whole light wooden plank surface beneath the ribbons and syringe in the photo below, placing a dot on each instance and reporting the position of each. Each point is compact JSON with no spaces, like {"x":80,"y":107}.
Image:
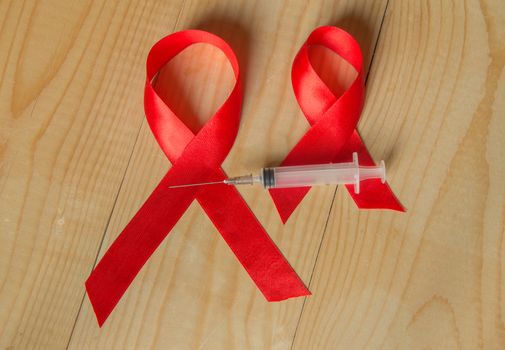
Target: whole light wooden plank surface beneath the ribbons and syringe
{"x":77,"y":160}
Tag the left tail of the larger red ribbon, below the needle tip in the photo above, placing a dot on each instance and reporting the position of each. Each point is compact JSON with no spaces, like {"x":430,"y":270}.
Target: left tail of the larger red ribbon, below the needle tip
{"x":133,"y":247}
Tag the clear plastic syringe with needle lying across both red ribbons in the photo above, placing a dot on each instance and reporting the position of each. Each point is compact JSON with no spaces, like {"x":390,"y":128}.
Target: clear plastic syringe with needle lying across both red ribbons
{"x":308,"y":175}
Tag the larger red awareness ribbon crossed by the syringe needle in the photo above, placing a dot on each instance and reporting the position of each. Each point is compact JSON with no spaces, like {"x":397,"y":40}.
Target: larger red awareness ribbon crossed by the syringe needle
{"x":194,"y":158}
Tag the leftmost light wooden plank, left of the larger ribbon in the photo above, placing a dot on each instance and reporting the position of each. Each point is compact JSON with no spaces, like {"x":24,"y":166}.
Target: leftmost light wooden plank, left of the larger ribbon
{"x":70,"y":111}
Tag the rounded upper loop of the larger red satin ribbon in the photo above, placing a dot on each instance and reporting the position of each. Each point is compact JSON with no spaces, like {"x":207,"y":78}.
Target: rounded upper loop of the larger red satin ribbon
{"x":172,"y":134}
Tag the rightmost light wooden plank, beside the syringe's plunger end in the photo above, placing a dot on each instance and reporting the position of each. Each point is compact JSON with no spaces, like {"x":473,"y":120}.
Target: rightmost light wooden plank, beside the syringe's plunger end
{"x":433,"y":277}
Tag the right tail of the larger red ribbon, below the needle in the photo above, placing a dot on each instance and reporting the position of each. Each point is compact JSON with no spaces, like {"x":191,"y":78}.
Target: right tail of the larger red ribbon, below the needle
{"x":252,"y":246}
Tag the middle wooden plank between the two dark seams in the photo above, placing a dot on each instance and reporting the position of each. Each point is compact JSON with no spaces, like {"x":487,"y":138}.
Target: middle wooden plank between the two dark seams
{"x":193,"y":293}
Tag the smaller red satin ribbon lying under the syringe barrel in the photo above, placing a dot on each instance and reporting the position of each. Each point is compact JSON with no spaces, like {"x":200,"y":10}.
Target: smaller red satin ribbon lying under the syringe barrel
{"x":333,"y":119}
